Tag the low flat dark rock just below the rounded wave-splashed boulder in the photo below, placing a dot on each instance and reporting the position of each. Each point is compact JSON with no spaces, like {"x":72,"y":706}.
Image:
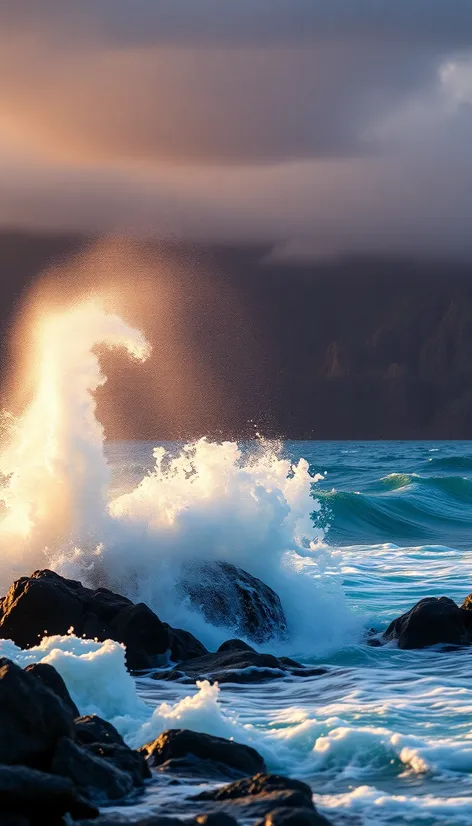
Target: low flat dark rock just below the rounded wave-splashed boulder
{"x":237,"y":666}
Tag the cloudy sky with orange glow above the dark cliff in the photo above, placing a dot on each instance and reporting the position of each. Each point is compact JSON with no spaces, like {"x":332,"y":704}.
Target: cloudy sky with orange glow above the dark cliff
{"x":320,"y":126}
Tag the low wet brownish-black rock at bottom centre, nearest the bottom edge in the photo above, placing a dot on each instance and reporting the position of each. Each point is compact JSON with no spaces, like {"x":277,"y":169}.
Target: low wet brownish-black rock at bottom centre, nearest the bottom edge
{"x":261,"y":794}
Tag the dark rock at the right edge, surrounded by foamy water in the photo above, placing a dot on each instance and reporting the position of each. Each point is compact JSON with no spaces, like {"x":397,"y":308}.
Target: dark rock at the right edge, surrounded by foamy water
{"x":432,"y":621}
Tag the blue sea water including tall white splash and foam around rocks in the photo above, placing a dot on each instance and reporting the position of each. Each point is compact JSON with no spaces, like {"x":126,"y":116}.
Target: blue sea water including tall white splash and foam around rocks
{"x":349,"y":535}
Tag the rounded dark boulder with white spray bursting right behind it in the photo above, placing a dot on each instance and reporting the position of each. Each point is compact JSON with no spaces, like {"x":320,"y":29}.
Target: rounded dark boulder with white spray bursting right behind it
{"x":230,"y":597}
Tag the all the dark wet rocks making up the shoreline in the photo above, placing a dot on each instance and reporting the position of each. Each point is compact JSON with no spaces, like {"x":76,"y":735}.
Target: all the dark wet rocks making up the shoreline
{"x":56,"y":765}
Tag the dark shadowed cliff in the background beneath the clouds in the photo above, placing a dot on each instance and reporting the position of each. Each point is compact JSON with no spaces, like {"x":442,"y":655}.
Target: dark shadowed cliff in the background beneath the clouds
{"x":360,"y":349}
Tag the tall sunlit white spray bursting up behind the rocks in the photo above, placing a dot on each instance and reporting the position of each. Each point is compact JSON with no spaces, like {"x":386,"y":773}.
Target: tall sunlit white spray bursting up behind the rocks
{"x":252,"y":507}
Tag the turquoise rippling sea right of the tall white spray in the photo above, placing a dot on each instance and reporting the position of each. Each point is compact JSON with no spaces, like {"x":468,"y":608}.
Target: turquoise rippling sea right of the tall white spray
{"x":385,"y":737}
